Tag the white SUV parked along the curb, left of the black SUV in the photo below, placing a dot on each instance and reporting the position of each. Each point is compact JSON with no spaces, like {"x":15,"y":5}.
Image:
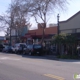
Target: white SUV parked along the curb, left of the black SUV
{"x":19,"y":48}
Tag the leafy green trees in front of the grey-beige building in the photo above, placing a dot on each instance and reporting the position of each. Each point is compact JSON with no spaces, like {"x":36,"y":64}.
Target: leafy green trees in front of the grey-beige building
{"x":68,"y":41}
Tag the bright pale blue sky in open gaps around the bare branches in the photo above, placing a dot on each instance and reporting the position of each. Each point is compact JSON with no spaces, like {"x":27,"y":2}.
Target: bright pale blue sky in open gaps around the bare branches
{"x":72,"y":8}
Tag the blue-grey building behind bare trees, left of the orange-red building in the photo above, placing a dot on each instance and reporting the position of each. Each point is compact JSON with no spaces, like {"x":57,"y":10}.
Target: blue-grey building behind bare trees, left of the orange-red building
{"x":16,"y":34}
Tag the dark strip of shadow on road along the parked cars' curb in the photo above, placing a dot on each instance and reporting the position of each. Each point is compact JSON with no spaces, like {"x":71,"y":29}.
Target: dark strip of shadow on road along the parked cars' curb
{"x":47,"y":57}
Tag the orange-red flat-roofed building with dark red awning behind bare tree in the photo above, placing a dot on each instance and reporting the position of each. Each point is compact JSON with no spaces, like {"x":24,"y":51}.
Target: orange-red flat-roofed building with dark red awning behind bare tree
{"x":37,"y":33}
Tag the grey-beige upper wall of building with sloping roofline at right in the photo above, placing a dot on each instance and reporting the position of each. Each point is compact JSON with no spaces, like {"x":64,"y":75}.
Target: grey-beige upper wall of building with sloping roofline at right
{"x":70,"y":26}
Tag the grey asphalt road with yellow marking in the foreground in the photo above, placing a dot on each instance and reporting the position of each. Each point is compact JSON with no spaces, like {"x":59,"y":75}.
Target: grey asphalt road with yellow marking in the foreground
{"x":20,"y":67}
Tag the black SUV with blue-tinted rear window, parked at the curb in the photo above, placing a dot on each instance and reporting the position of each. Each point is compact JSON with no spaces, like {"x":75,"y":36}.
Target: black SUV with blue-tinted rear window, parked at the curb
{"x":37,"y":50}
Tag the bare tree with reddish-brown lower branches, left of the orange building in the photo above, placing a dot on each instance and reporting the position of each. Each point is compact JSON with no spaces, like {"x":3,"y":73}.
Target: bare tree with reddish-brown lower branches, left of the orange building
{"x":20,"y":18}
